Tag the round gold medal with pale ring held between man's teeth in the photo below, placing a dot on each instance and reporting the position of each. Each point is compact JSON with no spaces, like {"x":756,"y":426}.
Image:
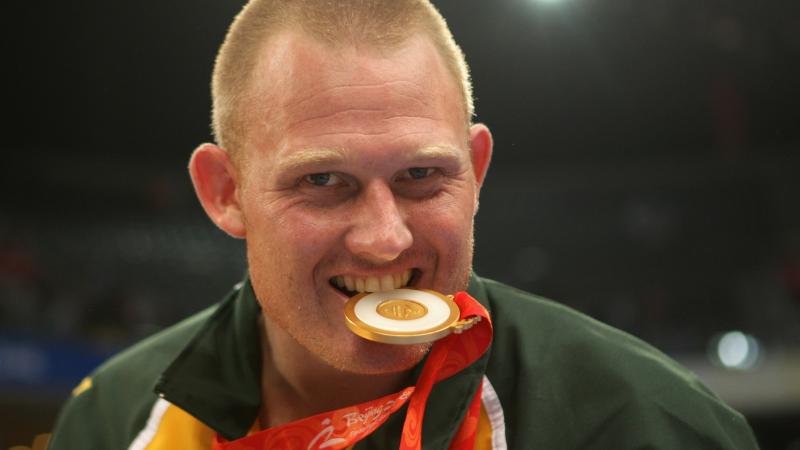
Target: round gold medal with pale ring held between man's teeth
{"x":403,"y":316}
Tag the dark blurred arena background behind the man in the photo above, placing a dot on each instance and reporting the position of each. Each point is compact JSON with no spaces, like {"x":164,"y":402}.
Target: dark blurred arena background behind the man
{"x":646,"y":172}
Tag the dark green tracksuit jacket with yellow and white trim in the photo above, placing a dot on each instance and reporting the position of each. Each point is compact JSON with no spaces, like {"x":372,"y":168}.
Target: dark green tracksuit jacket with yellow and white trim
{"x":552,"y":379}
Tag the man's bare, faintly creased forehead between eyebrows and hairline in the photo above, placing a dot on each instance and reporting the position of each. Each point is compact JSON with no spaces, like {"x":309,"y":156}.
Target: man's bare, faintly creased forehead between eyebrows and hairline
{"x":308,"y":93}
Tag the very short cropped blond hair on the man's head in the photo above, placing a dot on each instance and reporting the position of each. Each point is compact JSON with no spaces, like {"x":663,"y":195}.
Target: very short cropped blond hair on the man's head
{"x":382,"y":23}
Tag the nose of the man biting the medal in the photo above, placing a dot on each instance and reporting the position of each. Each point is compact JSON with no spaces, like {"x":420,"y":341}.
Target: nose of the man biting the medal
{"x":379,"y":232}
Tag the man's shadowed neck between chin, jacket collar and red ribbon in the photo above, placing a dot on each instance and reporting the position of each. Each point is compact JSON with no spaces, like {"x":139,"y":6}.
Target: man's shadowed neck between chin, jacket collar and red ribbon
{"x":296,"y":384}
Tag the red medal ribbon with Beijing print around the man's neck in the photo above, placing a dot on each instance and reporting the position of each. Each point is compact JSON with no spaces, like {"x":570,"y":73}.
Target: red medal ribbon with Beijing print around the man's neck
{"x":344,"y":427}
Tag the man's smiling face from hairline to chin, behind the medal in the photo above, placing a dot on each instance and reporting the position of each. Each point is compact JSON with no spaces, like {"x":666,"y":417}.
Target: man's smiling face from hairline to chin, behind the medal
{"x":356,"y":172}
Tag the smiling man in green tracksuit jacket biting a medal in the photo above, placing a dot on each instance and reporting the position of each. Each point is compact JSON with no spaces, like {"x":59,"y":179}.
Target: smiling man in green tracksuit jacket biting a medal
{"x":347,"y":160}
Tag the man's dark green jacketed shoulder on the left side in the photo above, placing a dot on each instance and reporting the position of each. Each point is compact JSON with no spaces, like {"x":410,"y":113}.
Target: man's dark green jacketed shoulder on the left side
{"x":119,"y":394}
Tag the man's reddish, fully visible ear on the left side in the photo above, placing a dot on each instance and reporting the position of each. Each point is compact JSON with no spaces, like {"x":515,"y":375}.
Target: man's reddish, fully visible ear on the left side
{"x":214,"y":180}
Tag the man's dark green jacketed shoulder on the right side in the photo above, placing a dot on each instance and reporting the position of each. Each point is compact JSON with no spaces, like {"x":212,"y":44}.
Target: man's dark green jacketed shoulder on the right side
{"x":584,"y":379}
